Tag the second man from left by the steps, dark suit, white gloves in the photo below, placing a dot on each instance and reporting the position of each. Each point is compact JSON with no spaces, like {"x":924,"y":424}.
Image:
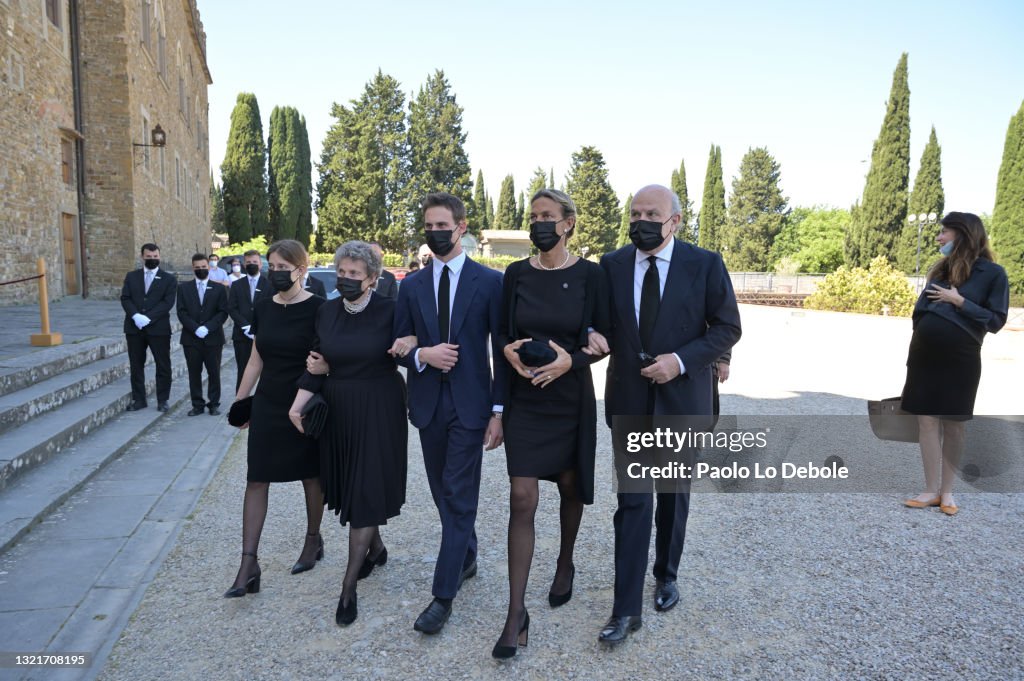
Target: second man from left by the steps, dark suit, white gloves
{"x":202,"y":311}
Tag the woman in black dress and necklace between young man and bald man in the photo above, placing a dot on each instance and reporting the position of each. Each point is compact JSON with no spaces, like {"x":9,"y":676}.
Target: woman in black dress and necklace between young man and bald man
{"x":550,"y":304}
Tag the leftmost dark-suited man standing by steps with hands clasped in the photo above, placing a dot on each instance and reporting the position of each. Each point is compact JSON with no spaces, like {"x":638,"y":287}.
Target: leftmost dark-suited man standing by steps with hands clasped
{"x":148,"y":296}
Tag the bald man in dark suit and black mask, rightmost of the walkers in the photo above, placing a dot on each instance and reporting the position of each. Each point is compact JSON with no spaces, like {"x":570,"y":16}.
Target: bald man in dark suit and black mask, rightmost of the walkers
{"x":674,"y":315}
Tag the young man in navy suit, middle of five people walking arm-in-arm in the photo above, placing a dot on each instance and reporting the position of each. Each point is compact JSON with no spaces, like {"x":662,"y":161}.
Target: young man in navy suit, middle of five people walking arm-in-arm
{"x":451,"y":308}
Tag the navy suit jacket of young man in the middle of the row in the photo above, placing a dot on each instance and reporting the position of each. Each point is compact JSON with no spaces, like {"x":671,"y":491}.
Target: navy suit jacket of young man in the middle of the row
{"x":476,"y":315}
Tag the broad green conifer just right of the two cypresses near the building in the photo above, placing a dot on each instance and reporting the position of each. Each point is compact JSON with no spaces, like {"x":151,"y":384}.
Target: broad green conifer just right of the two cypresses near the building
{"x":364,"y":169}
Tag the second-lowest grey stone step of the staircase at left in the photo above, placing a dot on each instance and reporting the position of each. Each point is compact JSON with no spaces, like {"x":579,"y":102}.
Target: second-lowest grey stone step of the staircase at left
{"x":44,"y":437}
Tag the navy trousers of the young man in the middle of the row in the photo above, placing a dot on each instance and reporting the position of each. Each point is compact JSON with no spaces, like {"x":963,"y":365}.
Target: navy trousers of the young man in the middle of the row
{"x":453,"y":455}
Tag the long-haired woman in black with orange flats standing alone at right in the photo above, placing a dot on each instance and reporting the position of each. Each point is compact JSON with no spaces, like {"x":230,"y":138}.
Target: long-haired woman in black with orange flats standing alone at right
{"x":967,"y":296}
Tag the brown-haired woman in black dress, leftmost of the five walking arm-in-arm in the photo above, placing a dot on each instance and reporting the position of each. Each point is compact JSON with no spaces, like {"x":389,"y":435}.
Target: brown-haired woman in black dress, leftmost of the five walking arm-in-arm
{"x":283,"y":327}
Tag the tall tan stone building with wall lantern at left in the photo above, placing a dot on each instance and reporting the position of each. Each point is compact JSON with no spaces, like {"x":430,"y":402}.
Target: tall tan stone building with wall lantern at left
{"x":83,"y":86}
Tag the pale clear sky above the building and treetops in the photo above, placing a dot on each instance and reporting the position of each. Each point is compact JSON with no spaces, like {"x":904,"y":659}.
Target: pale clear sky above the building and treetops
{"x":652,"y":84}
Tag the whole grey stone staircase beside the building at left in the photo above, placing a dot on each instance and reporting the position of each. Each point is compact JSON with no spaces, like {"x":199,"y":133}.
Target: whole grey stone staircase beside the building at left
{"x":63,"y":419}
